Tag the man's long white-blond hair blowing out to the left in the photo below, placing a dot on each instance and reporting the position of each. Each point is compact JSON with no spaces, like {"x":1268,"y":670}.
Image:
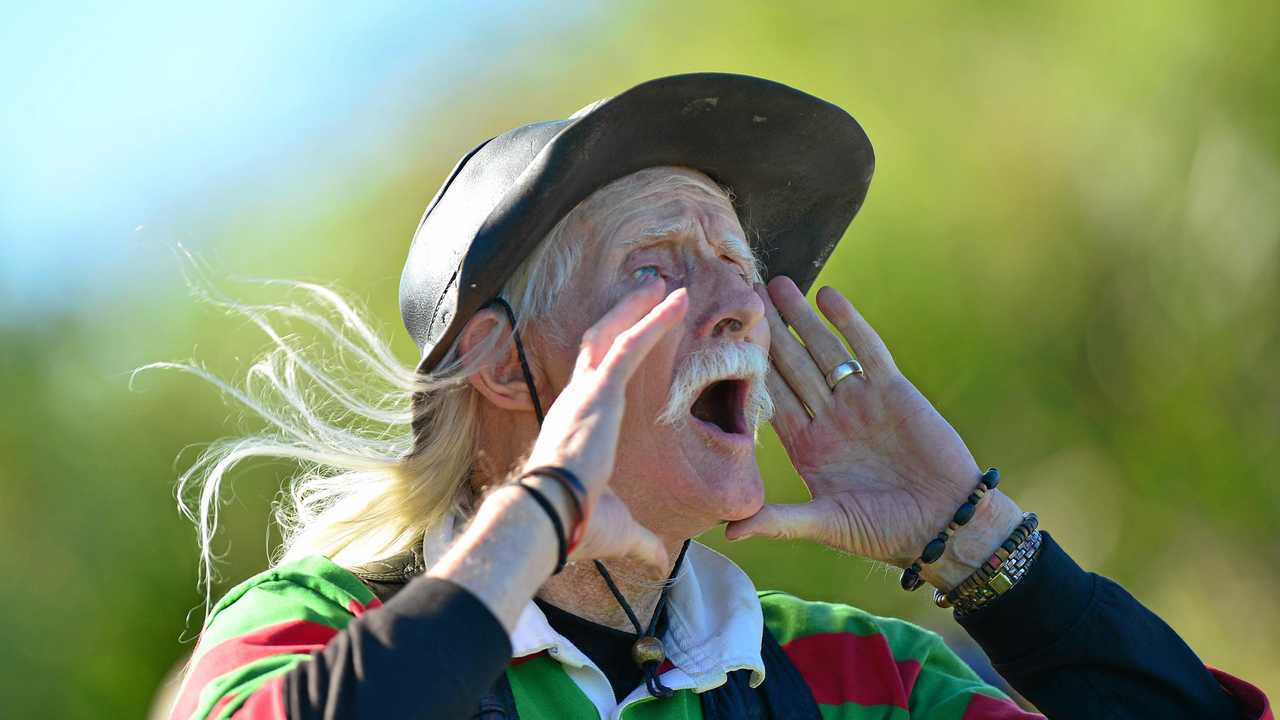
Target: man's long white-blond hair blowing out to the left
{"x":342,"y":411}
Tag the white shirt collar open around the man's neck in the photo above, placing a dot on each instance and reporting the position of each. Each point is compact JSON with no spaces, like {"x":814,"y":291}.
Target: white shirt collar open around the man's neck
{"x":715,"y":627}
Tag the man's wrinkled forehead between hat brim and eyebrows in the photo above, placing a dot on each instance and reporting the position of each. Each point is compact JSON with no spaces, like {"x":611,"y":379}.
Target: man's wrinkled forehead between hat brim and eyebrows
{"x":660,"y":203}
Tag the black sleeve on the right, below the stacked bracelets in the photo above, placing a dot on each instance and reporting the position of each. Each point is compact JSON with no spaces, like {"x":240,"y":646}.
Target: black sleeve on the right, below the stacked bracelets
{"x":1077,"y":645}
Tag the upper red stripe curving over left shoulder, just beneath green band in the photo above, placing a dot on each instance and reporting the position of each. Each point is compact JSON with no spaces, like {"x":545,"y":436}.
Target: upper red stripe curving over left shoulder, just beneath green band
{"x":294,"y":636}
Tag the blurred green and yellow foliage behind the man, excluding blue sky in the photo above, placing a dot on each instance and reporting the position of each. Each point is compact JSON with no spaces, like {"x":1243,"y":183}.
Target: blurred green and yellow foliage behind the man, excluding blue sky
{"x":1071,"y":245}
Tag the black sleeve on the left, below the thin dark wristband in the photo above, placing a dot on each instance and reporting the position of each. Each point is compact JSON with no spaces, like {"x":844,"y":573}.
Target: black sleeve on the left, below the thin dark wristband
{"x":433,"y":651}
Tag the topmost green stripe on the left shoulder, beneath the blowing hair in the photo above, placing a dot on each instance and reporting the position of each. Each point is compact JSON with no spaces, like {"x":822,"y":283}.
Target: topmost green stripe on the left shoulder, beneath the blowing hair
{"x":313,"y":589}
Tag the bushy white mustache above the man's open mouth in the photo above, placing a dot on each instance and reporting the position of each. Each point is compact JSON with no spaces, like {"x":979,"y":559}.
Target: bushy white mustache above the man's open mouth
{"x":737,"y":361}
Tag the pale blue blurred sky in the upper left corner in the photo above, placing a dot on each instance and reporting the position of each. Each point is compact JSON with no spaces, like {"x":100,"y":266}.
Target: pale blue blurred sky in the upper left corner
{"x":116,"y":115}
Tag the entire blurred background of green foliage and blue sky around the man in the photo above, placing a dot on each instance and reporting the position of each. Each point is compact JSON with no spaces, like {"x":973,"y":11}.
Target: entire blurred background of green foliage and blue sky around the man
{"x":1071,"y":245}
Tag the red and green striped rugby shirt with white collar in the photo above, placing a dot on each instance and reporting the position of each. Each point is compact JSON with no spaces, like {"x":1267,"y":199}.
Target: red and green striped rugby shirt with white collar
{"x":858,"y":666}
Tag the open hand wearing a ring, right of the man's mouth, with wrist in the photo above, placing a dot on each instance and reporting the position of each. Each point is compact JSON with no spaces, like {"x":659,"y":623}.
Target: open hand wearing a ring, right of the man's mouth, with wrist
{"x":885,"y":470}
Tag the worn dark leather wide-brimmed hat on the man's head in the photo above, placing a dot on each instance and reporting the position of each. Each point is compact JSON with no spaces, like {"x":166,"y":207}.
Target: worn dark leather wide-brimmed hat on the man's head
{"x":799,"y":168}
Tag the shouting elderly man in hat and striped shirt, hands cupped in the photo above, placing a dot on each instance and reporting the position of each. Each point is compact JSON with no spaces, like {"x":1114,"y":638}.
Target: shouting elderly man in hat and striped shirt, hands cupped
{"x":609,"y":271}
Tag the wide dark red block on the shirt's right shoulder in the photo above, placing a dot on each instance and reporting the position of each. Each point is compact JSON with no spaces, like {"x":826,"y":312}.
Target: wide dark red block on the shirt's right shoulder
{"x":845,"y":668}
